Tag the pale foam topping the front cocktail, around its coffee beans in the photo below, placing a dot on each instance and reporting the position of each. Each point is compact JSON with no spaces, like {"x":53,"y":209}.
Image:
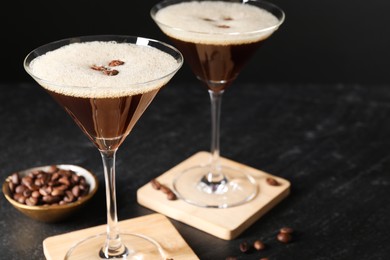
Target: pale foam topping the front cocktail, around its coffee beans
{"x":68,"y":70}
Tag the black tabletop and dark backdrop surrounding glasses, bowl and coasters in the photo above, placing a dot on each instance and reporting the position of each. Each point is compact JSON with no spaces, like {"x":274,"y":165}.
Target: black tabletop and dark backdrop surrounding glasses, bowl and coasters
{"x":320,"y":120}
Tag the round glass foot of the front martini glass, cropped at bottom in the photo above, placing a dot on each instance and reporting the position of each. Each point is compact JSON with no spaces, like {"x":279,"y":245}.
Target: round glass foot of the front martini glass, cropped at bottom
{"x":137,"y":247}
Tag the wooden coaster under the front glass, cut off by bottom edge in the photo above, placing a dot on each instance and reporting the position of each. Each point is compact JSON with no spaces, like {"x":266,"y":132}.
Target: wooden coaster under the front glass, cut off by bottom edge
{"x":155,"y":226}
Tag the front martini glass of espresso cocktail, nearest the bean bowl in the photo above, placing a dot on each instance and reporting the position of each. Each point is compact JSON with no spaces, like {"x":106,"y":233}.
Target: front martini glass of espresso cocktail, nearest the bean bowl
{"x":105,"y":83}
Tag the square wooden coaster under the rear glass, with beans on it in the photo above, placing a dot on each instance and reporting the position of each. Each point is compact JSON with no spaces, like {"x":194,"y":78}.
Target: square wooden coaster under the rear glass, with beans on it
{"x":223,"y":223}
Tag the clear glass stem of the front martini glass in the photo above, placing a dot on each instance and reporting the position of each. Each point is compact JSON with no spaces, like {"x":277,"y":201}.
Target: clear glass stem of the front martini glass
{"x":113,"y":247}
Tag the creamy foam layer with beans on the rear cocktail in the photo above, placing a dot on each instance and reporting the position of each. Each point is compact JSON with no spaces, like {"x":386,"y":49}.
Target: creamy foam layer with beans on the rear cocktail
{"x":216,"y":22}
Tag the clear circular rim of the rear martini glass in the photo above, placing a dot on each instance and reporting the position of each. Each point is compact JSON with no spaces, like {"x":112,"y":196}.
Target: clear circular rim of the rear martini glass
{"x":270,"y":5}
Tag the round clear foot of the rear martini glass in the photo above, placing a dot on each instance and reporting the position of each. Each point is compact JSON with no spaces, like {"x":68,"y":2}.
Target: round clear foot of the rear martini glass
{"x":235,"y":189}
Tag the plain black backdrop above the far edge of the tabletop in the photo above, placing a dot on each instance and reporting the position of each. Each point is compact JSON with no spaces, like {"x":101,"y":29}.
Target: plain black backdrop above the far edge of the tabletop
{"x":328,"y":42}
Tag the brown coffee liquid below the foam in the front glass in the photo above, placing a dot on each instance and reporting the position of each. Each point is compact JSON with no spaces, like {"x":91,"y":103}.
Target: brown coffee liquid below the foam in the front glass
{"x":106,"y":121}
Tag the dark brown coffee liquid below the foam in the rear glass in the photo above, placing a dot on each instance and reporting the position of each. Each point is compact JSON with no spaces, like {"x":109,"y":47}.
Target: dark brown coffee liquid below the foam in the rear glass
{"x":216,"y":65}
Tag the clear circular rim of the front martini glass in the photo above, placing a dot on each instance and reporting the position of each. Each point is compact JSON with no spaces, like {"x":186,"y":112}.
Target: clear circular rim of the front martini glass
{"x":137,"y":40}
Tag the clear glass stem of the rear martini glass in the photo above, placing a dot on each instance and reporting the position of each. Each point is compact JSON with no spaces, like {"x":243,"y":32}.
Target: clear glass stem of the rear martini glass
{"x":215,"y":176}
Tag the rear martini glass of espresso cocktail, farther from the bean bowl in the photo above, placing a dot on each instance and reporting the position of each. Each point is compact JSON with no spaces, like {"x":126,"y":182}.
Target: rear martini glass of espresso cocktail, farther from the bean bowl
{"x":216,"y":38}
